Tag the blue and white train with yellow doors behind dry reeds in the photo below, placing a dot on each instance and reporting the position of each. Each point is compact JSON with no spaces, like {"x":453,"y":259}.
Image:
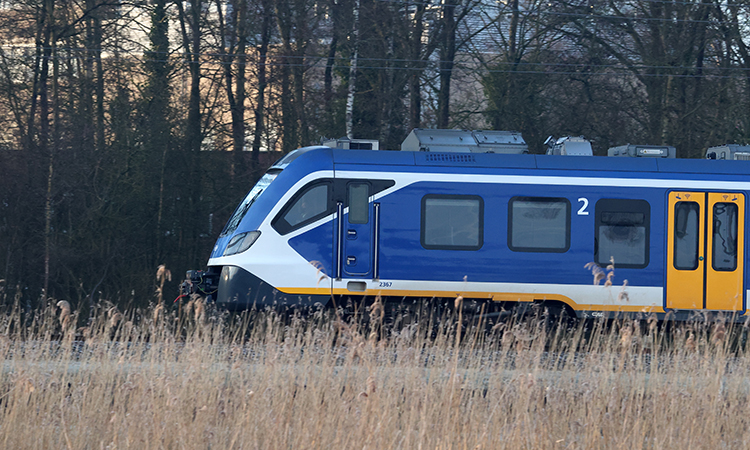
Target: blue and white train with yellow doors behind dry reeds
{"x":592,"y":236}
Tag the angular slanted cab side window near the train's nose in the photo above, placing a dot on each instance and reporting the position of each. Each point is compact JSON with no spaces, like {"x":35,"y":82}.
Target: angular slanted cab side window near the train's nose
{"x":306,"y":207}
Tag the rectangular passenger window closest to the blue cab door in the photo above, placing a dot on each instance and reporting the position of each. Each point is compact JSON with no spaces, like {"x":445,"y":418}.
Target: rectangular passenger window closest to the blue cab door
{"x":452,"y":222}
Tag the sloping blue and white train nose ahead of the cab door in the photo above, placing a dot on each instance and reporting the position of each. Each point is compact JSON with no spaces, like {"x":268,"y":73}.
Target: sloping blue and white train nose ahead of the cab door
{"x":255,"y":262}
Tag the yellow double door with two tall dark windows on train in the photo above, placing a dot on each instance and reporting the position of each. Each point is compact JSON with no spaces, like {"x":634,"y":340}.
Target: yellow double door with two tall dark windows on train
{"x":705,"y":251}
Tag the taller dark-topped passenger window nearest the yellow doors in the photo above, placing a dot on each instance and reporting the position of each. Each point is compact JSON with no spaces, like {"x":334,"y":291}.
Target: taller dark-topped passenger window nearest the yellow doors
{"x":622,"y":232}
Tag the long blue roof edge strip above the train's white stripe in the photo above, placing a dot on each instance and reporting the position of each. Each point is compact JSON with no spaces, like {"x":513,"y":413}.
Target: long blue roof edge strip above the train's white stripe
{"x":548,"y":162}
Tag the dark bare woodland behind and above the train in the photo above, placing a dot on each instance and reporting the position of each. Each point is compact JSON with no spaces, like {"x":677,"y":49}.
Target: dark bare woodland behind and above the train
{"x":130,"y":130}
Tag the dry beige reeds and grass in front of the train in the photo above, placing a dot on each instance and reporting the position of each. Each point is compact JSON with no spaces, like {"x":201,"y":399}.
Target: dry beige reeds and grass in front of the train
{"x":161,"y":381}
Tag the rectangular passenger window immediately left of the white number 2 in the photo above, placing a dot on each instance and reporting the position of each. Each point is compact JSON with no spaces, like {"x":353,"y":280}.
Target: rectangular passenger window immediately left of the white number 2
{"x":539,"y":224}
